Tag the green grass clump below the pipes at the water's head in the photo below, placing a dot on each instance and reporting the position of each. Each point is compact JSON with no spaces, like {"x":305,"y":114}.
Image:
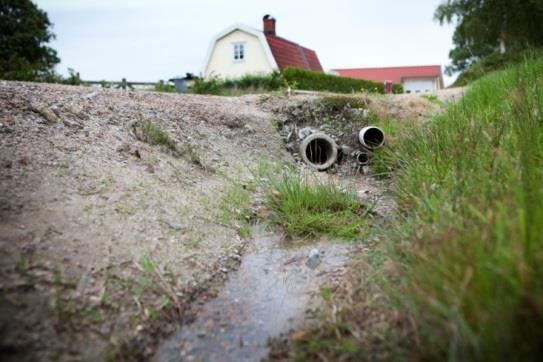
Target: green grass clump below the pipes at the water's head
{"x":304,"y":209}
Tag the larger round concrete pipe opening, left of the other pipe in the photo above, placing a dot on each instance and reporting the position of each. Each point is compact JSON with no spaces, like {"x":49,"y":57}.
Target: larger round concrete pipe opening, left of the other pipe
{"x":319,"y":151}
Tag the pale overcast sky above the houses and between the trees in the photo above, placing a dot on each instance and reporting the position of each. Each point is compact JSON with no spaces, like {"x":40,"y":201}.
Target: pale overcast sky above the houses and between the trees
{"x":148,"y":40}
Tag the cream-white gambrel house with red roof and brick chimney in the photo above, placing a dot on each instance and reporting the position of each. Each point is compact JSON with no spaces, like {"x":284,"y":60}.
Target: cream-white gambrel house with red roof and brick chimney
{"x":241,"y":50}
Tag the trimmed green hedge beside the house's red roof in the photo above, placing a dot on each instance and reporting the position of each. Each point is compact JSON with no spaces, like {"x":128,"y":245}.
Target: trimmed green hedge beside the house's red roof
{"x":310,"y":80}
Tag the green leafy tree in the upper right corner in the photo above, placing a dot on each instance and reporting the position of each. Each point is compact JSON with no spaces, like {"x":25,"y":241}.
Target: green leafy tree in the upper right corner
{"x":484,"y":27}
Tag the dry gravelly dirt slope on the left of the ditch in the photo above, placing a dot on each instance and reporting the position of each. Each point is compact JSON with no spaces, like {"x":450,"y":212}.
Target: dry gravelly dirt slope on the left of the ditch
{"x":100,"y":230}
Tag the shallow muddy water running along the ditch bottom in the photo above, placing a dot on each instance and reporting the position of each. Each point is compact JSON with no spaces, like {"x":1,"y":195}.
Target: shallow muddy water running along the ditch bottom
{"x":267,"y":296}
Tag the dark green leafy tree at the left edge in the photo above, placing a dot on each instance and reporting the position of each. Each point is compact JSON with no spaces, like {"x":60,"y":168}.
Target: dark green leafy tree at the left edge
{"x":24,"y":34}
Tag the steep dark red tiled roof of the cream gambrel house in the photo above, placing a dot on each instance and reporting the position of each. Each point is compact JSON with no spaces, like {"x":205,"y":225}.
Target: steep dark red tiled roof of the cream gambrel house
{"x":287,"y":53}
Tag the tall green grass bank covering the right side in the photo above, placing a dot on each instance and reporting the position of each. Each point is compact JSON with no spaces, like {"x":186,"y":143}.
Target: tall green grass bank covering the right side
{"x":469,"y":246}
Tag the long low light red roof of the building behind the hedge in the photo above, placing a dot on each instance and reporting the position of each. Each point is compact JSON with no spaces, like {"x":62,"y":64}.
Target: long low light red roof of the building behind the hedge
{"x":395,"y":74}
